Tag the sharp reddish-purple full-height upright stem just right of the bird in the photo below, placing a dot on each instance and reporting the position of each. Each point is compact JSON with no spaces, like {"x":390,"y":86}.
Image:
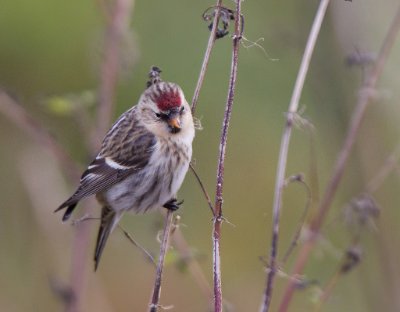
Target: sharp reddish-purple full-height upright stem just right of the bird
{"x":221,"y":162}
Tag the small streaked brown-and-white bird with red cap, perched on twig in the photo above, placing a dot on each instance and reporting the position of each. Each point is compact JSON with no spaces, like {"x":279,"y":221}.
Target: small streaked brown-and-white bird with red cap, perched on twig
{"x":143,"y":159}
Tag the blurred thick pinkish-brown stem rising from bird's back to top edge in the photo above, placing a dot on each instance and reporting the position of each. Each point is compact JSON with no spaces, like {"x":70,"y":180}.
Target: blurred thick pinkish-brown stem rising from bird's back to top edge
{"x":118,"y":25}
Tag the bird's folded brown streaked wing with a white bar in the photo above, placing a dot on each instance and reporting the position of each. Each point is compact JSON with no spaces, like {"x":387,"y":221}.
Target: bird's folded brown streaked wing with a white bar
{"x":127,"y":148}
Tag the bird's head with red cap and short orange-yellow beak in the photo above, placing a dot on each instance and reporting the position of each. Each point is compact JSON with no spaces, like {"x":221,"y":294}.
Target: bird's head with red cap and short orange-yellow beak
{"x":165,"y":111}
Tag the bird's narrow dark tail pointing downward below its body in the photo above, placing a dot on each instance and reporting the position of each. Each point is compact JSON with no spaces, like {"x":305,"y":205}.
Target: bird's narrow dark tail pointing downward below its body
{"x":109,"y":220}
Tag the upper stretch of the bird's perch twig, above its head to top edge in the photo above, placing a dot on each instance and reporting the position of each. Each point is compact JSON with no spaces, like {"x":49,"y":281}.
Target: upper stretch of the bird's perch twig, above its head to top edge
{"x":210,"y":45}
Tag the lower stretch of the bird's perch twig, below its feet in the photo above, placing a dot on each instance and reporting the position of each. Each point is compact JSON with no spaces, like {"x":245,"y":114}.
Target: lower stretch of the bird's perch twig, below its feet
{"x":154,"y":305}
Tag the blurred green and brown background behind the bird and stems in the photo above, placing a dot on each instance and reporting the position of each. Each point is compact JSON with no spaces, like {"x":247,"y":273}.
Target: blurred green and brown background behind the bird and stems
{"x":54,"y":49}
